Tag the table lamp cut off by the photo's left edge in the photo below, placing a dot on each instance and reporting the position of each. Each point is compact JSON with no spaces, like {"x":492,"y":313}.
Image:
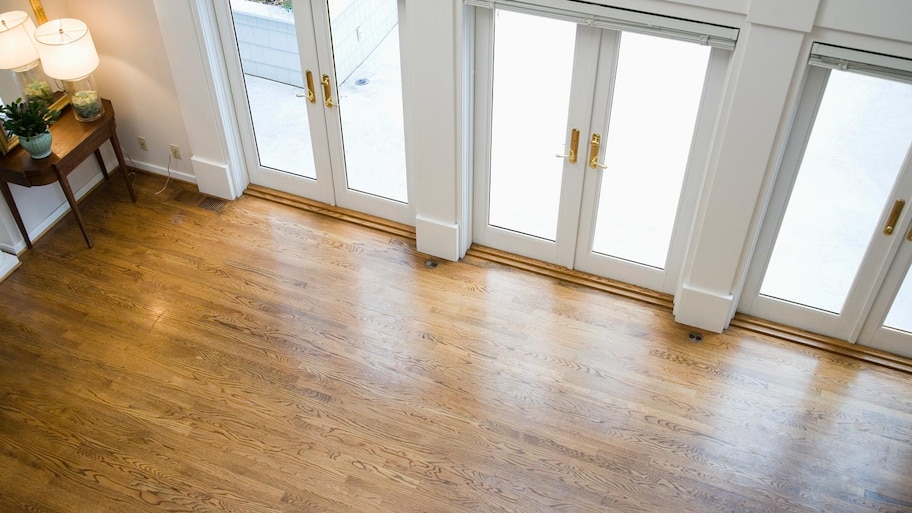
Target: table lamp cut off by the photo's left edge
{"x":18,"y":53}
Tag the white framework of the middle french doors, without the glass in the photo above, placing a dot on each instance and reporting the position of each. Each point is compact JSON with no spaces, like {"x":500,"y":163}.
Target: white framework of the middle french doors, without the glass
{"x":576,"y":215}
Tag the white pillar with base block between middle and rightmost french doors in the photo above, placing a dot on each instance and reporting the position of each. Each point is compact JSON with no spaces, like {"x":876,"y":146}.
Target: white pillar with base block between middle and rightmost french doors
{"x":766,"y":65}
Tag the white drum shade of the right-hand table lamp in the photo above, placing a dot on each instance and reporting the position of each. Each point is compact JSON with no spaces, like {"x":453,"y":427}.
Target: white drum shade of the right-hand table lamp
{"x":66,"y":48}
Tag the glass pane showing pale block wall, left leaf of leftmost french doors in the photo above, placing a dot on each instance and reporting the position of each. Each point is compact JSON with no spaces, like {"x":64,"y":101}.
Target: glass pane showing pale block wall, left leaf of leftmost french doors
{"x":275,"y":87}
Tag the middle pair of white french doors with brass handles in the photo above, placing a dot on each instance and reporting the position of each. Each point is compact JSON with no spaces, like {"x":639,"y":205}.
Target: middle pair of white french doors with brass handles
{"x":591,"y":142}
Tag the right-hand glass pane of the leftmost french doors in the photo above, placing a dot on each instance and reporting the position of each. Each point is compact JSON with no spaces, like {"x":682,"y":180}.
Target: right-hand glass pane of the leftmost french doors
{"x":365,"y":41}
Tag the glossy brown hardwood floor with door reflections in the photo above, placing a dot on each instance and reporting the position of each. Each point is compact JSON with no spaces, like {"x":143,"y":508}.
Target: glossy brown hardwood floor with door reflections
{"x":263,"y":359}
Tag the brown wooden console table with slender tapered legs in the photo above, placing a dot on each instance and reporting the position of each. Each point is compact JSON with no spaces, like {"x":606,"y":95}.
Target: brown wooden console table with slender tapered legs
{"x":73,"y":141}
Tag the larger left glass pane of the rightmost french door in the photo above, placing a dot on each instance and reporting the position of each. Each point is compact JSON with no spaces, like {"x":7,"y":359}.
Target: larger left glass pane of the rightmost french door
{"x":856,"y":147}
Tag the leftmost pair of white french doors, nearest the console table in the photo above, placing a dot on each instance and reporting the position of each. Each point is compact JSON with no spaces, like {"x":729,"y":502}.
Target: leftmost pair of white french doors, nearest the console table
{"x":319,"y":93}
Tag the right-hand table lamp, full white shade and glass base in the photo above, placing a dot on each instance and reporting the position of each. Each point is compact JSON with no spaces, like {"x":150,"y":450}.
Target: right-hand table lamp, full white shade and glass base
{"x":68,"y":54}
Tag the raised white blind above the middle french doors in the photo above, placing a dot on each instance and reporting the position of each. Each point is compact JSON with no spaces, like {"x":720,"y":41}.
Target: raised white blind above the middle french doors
{"x":620,"y":19}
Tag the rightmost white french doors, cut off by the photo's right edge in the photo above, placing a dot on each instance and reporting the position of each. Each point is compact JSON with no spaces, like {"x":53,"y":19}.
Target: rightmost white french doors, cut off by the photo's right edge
{"x":836,"y":244}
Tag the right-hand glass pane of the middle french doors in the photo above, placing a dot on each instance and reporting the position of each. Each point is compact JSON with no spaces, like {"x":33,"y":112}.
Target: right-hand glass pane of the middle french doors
{"x":654,"y":108}
